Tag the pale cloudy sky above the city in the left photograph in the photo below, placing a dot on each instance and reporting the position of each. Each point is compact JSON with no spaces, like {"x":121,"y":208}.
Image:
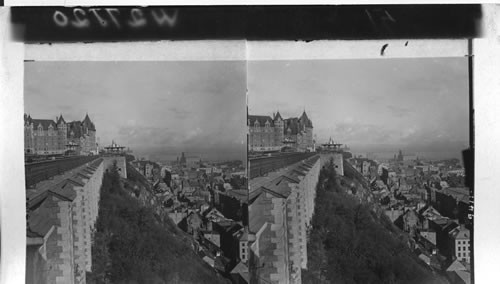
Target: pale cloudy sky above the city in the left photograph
{"x":155,"y":108}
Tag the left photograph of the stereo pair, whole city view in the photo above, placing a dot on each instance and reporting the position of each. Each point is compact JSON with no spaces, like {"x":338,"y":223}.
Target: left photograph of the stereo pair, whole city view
{"x":136,"y":171}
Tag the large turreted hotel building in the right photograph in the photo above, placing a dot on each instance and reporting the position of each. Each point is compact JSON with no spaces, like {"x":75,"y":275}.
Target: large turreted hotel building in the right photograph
{"x":273,"y":133}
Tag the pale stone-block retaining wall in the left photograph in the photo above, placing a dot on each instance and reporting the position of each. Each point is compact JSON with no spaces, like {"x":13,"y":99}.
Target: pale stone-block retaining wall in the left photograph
{"x":63,"y":214}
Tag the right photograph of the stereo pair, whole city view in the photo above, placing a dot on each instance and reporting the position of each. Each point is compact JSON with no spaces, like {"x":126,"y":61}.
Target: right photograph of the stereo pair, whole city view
{"x":356,"y":172}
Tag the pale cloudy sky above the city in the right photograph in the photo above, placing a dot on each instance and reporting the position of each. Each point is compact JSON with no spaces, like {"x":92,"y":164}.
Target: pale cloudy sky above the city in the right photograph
{"x":418,"y":105}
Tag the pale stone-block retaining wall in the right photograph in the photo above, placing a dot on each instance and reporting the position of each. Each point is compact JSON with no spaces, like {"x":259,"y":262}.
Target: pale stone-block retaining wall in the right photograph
{"x":285,"y":203}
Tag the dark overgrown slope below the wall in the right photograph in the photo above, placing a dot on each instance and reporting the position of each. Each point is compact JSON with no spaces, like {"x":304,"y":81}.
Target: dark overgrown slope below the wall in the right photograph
{"x":349,"y":243}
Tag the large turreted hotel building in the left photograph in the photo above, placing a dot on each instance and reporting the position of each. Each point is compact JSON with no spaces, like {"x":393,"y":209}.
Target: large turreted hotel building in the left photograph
{"x":49,"y":137}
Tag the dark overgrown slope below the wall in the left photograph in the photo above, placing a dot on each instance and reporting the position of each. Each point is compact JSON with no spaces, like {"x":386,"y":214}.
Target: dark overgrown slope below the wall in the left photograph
{"x":132,"y":246}
